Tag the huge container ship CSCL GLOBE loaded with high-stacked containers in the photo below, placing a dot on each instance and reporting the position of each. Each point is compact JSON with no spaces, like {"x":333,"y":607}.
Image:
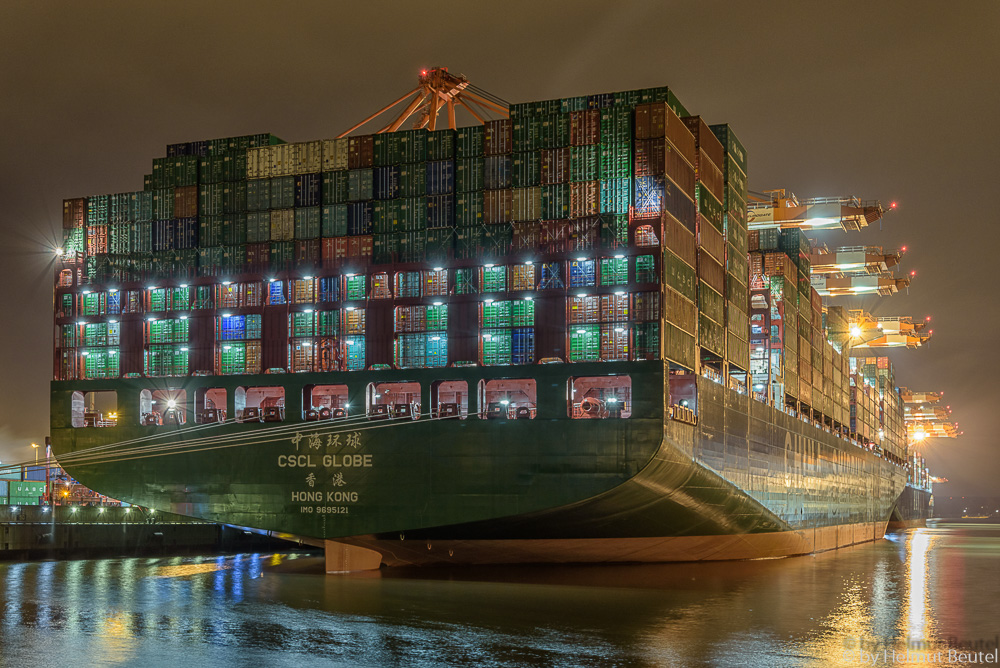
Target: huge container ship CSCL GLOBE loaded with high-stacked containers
{"x":565,"y":334}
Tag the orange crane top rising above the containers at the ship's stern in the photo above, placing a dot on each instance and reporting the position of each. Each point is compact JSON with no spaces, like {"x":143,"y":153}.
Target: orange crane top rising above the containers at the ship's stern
{"x":437,"y":90}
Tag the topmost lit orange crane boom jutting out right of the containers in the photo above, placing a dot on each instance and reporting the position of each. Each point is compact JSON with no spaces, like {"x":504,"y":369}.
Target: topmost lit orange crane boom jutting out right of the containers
{"x":779,"y":208}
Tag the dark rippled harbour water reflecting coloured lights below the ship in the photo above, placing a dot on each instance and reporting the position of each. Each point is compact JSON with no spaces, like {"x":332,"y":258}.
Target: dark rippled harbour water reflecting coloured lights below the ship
{"x":925,"y":590}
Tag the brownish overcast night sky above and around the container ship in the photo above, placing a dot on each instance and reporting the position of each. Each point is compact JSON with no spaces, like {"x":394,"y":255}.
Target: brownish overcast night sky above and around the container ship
{"x":889,"y":100}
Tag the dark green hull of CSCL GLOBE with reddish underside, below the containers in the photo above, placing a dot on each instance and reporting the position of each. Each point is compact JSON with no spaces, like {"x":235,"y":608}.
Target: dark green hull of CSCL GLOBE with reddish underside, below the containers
{"x":739,"y":480}
